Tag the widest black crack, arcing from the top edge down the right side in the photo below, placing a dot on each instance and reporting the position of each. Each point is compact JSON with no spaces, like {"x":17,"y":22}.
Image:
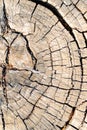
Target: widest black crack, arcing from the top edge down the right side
{"x":67,"y":27}
